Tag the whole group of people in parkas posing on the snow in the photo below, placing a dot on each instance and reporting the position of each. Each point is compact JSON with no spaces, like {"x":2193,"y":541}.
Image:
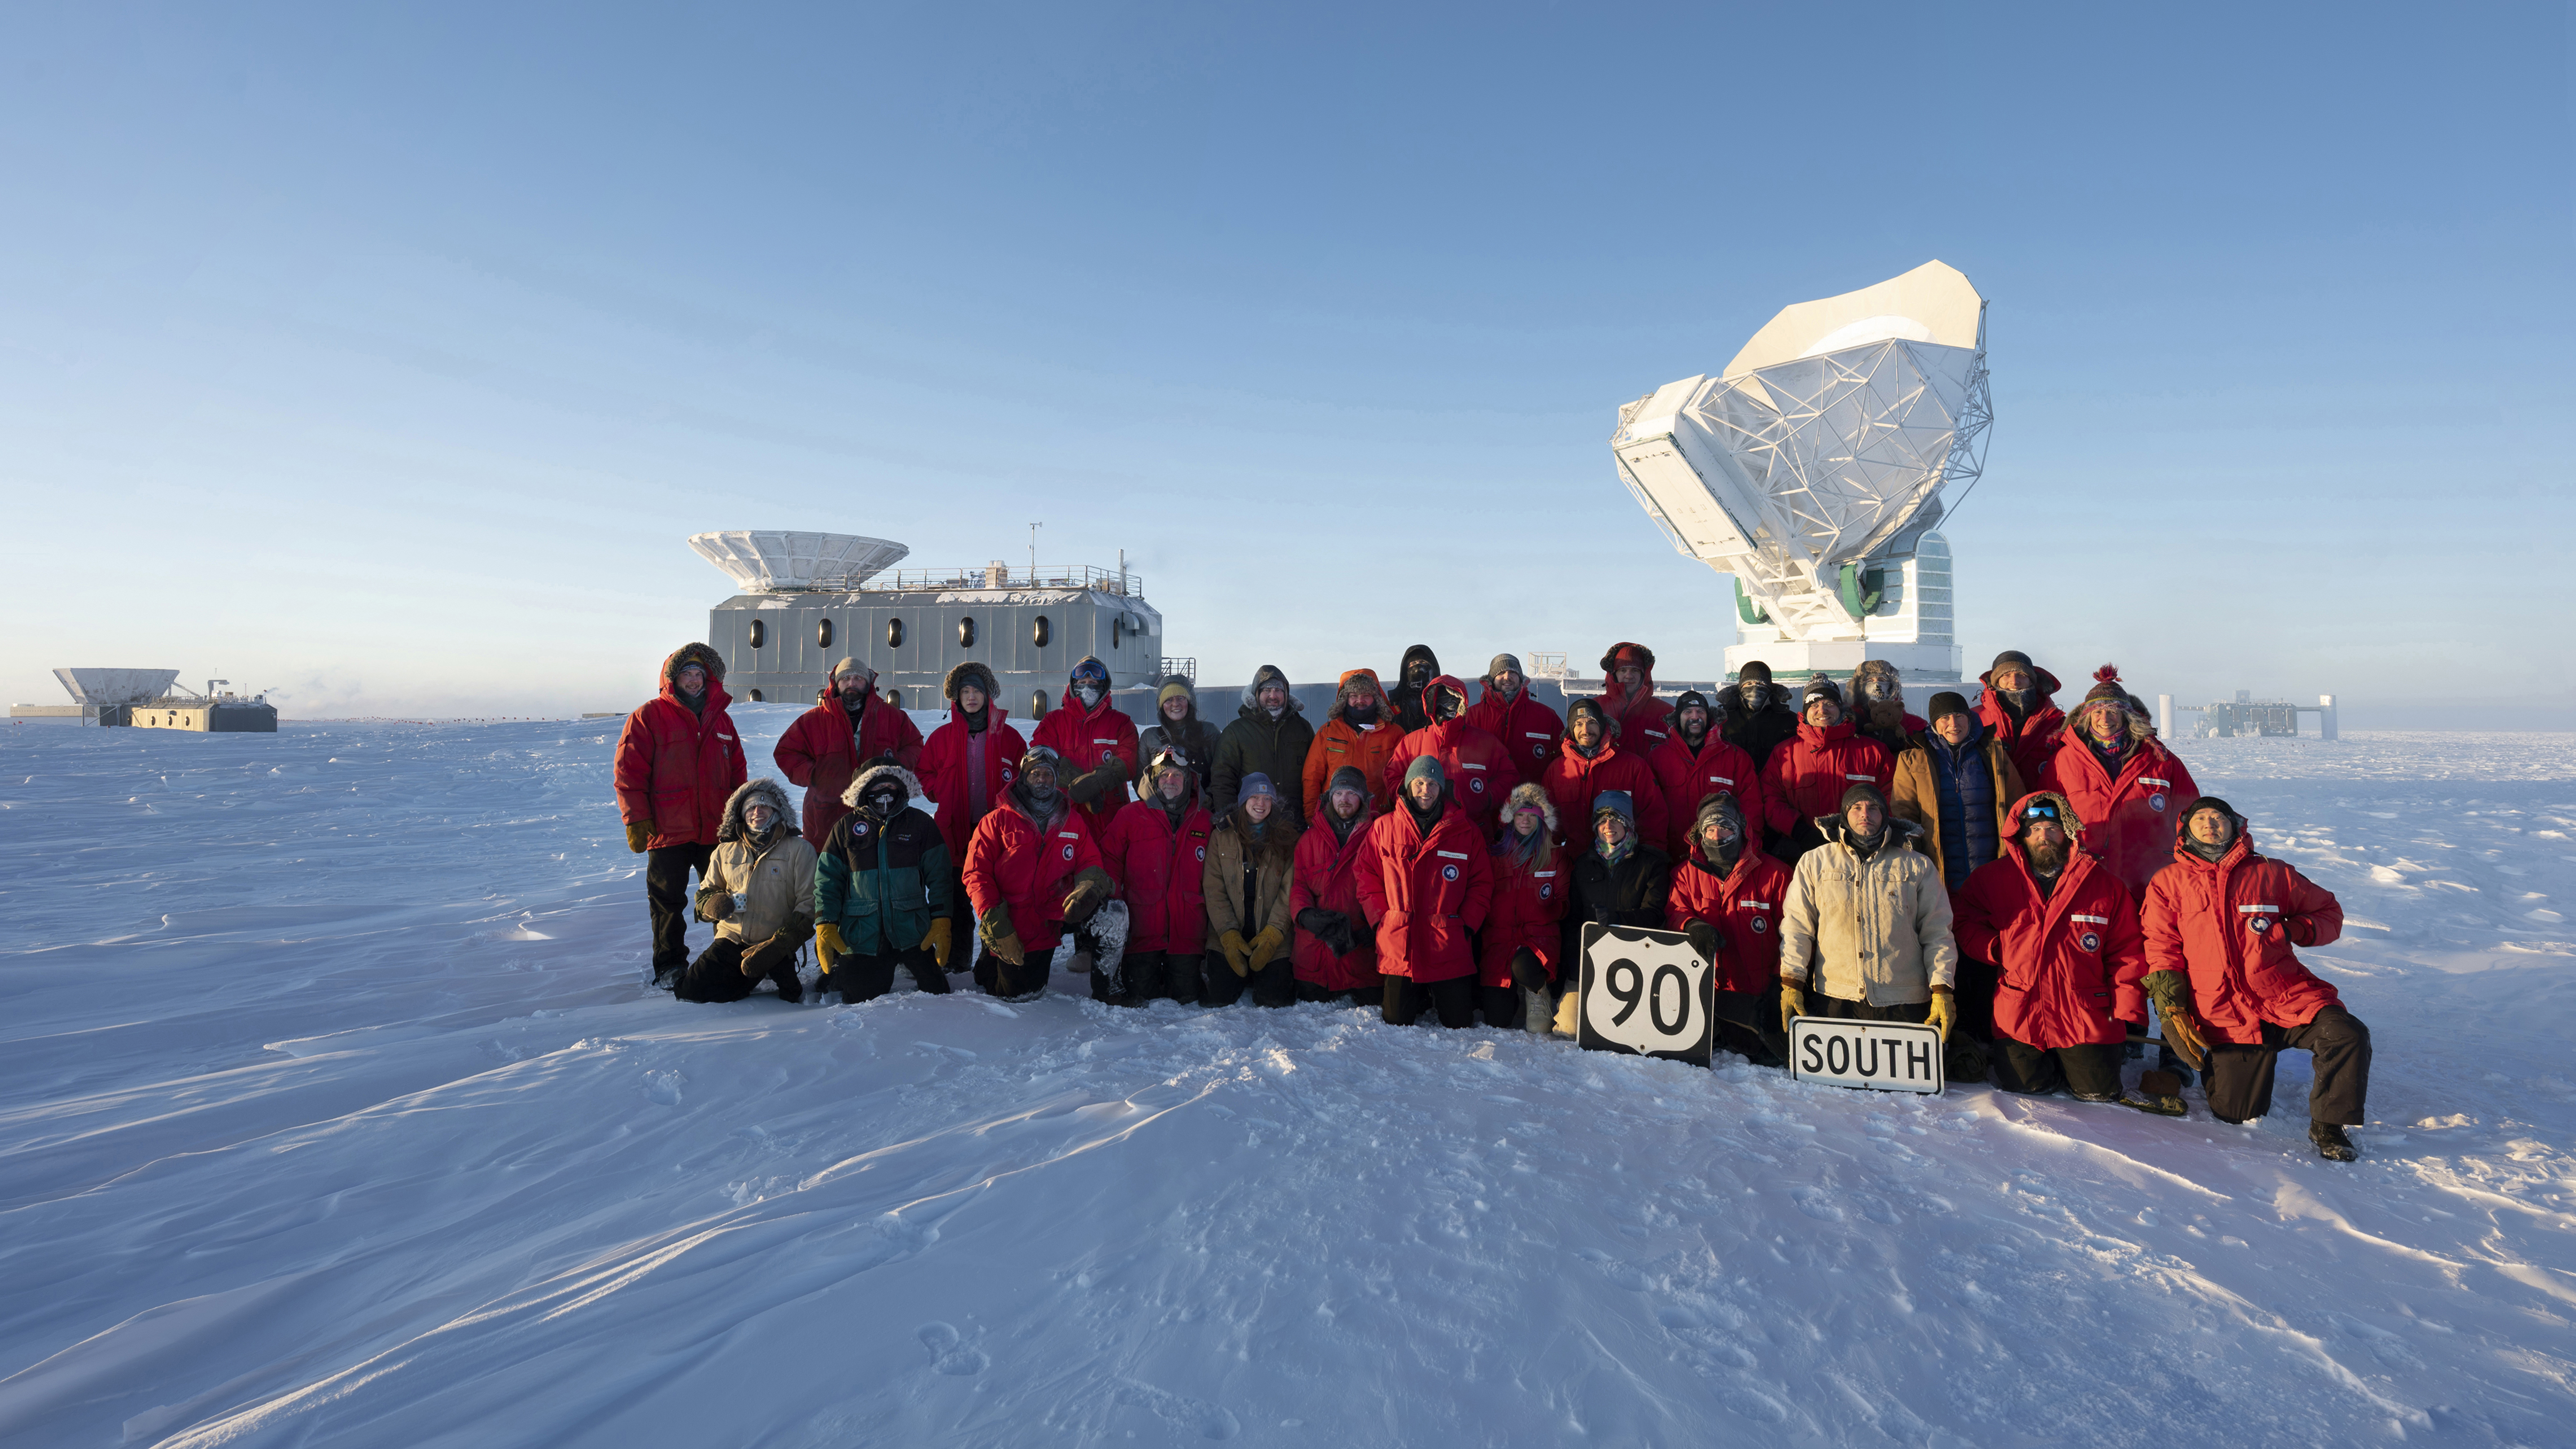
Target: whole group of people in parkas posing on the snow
{"x":2021,"y":876}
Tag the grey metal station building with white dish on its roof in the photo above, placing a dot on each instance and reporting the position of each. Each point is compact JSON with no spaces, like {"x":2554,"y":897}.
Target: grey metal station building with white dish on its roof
{"x":815,"y":598}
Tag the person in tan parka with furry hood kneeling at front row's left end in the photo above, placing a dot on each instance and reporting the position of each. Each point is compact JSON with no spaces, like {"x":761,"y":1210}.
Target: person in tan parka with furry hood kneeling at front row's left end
{"x":761,"y":894}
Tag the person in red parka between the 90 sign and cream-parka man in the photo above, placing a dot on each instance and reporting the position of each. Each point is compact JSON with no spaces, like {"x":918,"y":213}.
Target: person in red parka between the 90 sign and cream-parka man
{"x":1727,"y":900}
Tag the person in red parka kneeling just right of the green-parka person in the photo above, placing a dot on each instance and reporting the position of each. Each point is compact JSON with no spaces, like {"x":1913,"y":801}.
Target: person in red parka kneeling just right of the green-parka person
{"x":1032,"y":871}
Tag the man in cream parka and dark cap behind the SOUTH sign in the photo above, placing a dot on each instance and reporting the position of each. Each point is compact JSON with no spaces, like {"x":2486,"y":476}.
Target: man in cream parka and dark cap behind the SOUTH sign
{"x":1869,"y":925}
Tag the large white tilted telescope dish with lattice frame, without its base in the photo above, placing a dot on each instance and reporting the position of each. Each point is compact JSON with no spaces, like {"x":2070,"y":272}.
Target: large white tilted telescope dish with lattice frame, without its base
{"x":1823,"y":449}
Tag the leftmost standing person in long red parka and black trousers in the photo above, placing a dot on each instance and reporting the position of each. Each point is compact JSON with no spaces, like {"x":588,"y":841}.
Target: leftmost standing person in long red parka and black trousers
{"x":679,"y":763}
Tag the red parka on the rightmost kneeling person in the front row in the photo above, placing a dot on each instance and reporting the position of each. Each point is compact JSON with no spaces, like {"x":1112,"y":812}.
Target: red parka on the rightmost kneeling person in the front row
{"x":2232,"y":928}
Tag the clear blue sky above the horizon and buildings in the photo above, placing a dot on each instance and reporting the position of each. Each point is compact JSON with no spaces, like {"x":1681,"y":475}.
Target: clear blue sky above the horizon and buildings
{"x":385,"y":356}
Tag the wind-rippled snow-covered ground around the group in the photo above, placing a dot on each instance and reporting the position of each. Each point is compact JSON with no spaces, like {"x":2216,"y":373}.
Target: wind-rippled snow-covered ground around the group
{"x":334,"y":1113}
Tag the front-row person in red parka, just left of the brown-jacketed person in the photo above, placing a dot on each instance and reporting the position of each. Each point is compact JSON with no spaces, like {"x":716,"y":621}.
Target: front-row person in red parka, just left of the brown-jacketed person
{"x":1158,"y":856}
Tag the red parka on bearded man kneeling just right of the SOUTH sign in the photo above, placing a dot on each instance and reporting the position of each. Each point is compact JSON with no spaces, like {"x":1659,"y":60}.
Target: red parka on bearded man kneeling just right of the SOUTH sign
{"x":2070,"y":959}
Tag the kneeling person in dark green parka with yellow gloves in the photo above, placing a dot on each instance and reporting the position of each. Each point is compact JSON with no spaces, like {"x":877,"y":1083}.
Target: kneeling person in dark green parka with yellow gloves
{"x":885,"y":892}
